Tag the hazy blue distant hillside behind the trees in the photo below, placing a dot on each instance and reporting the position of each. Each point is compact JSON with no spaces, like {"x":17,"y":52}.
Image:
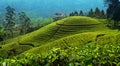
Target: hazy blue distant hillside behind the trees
{"x":46,"y":8}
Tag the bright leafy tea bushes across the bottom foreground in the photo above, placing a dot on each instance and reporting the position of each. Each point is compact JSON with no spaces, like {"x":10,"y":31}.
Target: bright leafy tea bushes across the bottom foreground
{"x":87,"y":55}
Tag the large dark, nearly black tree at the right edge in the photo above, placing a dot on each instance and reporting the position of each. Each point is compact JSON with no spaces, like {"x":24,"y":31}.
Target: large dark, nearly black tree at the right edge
{"x":113,"y":10}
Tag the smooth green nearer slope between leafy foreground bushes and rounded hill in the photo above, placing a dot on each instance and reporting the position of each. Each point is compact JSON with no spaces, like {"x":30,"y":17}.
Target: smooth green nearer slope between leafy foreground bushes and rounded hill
{"x":110,"y":37}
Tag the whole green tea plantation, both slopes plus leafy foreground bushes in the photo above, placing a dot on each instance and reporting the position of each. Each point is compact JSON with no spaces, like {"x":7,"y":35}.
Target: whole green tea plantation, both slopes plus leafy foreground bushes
{"x":93,"y":48}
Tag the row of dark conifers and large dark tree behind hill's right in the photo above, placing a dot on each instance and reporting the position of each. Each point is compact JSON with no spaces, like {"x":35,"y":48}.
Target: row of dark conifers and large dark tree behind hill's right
{"x":112,"y":13}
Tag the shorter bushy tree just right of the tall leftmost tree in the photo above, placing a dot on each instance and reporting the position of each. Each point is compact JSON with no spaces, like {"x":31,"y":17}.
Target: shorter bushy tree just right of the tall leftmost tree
{"x":25,"y":23}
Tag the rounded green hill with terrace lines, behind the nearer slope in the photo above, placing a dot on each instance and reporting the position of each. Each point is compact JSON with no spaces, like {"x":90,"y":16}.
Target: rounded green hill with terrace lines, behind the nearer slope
{"x":62,"y":28}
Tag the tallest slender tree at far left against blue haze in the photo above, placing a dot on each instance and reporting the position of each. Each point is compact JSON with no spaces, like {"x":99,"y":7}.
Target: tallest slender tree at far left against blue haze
{"x":10,"y":19}
